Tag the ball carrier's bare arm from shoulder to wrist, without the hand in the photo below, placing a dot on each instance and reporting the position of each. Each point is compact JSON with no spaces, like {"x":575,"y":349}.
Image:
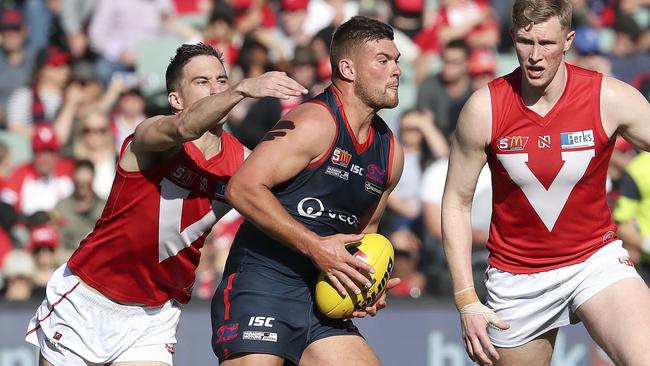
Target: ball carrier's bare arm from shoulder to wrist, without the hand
{"x":297,"y":140}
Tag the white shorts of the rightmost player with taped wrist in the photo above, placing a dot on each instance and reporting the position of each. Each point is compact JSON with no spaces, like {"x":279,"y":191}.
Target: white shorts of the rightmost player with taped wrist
{"x":535,"y":303}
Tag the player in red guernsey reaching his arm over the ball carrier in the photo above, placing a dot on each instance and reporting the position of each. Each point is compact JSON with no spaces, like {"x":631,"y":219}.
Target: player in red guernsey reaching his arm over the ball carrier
{"x":116,"y":300}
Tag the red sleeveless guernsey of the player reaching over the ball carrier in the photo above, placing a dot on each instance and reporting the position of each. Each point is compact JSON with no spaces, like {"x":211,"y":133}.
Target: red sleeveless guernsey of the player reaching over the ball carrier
{"x":145,"y":247}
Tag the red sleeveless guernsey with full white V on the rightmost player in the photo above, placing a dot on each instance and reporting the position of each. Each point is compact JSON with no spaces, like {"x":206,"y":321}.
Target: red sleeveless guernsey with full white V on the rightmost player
{"x":548,"y":176}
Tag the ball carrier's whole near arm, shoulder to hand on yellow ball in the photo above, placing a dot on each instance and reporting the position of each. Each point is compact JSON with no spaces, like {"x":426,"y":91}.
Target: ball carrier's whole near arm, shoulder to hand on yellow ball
{"x":303,"y":136}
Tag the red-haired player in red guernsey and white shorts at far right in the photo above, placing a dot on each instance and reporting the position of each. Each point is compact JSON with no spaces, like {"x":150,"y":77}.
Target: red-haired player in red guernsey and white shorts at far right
{"x":547,"y":131}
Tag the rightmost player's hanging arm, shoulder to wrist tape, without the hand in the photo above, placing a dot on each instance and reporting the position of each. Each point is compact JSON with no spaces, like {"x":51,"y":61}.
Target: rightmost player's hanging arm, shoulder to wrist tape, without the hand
{"x":465,"y":163}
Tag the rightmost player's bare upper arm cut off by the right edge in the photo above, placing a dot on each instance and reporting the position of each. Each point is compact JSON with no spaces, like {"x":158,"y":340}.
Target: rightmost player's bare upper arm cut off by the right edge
{"x":625,"y":110}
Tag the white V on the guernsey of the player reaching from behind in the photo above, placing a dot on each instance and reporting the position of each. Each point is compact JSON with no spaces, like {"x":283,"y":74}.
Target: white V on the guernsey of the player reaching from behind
{"x":171,"y":239}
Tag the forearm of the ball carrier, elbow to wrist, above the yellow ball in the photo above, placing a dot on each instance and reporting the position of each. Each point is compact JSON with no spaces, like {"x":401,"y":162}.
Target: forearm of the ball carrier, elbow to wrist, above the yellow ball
{"x":261,"y":207}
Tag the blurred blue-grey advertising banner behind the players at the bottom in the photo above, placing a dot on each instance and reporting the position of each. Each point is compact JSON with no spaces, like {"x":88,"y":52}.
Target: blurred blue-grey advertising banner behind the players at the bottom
{"x":425,"y":333}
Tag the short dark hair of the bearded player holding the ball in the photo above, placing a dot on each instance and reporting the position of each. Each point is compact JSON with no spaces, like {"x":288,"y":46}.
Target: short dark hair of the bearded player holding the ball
{"x":352,"y":35}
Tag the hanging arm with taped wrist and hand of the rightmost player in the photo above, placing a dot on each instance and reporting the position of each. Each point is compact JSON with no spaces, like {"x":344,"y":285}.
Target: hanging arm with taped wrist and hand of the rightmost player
{"x":468,"y":155}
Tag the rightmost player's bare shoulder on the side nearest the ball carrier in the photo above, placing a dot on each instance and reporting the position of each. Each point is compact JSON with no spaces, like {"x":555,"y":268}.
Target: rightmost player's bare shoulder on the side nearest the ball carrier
{"x":475,"y":120}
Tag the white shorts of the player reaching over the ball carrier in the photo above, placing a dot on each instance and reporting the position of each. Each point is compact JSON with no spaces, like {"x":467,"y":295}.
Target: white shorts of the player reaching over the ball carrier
{"x":76,"y":326}
